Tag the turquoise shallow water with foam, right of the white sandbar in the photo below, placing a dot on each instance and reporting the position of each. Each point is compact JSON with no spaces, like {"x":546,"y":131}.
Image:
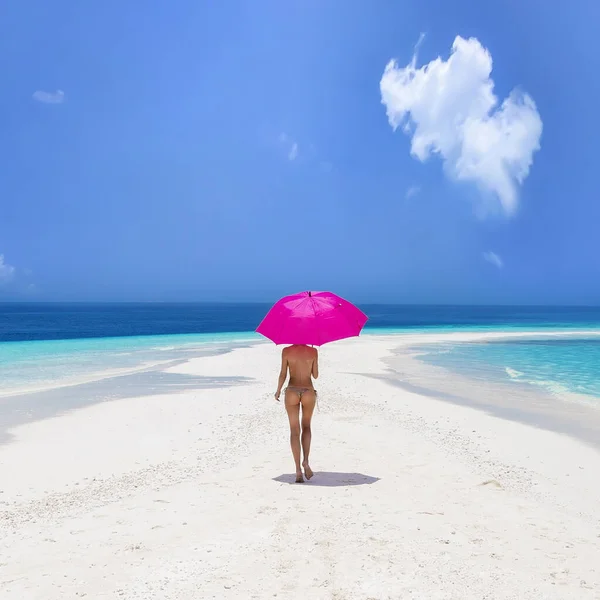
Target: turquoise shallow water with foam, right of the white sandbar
{"x":560,"y":365}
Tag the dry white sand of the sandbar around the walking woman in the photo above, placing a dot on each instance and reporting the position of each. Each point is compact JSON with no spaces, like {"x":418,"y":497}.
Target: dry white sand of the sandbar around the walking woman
{"x":187,"y":496}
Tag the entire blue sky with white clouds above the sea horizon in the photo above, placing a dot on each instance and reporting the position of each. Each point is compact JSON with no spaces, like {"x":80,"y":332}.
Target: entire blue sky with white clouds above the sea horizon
{"x":241,"y":150}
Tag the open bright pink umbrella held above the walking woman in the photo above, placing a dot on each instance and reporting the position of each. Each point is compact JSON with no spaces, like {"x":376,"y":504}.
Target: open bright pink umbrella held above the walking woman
{"x":313,"y":318}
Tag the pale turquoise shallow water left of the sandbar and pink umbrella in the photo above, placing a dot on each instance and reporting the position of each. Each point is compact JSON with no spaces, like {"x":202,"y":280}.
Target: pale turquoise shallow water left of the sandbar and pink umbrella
{"x":39,"y":364}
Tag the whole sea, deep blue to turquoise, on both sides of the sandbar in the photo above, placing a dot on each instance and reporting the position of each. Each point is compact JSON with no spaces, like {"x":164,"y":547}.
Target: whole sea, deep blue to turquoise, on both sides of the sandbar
{"x":68,"y":343}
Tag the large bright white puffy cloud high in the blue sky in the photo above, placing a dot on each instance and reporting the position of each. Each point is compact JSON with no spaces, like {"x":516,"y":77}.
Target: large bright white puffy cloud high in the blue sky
{"x":448,"y":107}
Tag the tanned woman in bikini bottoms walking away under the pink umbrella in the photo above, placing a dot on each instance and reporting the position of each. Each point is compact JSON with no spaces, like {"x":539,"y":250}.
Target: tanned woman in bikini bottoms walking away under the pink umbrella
{"x":303,"y":365}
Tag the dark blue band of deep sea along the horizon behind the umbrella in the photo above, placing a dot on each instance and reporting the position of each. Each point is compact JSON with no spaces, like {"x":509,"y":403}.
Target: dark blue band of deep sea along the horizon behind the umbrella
{"x":22,"y":321}
